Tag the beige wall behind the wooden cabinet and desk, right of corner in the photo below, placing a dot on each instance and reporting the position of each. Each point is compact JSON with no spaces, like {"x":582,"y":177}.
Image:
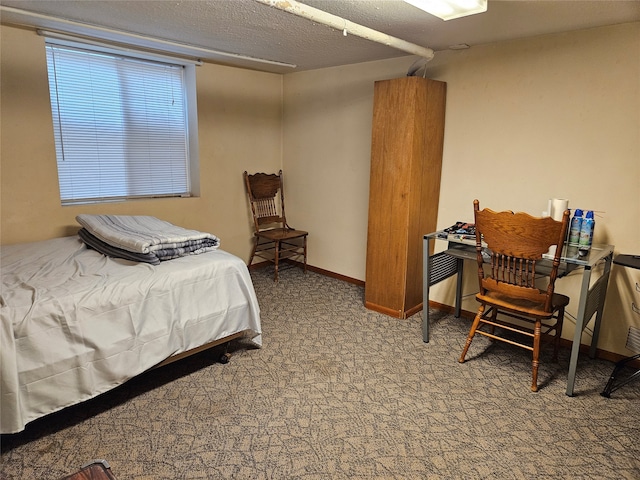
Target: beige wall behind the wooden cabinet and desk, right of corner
{"x":529,"y":120}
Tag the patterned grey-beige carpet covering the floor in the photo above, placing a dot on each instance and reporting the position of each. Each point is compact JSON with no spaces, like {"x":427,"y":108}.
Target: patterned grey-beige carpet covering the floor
{"x":340,"y":392}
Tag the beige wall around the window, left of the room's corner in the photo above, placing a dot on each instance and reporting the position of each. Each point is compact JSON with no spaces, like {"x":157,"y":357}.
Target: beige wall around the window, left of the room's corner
{"x":240,"y":128}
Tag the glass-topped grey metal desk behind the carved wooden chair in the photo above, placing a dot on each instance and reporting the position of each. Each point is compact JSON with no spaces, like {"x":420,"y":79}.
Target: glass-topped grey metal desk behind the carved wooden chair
{"x":445,"y":264}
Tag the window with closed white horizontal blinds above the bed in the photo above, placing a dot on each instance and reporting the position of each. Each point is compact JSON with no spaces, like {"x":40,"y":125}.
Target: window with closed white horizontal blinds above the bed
{"x":121,"y":124}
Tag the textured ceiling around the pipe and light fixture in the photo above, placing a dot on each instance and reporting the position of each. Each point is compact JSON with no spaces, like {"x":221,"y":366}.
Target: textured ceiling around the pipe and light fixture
{"x":252,"y":29}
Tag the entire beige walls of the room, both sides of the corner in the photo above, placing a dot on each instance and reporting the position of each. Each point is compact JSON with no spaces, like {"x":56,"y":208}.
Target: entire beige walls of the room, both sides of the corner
{"x":554,"y":116}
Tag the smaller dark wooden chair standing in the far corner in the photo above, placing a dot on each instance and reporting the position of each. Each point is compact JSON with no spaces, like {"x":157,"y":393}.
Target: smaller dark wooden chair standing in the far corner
{"x":274,"y":239}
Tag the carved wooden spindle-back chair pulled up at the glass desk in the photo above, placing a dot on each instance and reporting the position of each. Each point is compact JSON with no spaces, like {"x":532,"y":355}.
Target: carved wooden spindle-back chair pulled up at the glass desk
{"x":515,"y":243}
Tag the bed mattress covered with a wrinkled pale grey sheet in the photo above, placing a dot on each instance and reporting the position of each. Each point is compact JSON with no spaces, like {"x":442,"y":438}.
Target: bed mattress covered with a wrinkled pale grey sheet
{"x":76,"y":323}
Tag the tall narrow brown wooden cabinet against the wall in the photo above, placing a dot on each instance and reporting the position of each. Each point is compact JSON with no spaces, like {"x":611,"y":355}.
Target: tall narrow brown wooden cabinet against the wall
{"x":406,"y":163}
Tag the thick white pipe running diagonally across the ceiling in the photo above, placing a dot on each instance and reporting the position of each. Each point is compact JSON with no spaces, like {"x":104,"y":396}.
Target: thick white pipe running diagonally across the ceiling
{"x":346,"y":26}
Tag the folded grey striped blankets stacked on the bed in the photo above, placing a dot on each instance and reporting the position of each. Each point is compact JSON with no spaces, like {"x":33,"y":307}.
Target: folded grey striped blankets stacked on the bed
{"x":148,"y":238}
